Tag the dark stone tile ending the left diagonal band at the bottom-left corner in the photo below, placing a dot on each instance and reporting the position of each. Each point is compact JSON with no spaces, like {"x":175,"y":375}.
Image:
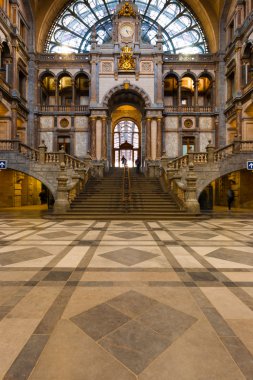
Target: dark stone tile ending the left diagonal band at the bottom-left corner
{"x":27,"y":359}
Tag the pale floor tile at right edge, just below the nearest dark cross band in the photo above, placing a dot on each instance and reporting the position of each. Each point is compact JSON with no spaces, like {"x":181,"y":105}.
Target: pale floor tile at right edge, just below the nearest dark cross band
{"x":227,"y":304}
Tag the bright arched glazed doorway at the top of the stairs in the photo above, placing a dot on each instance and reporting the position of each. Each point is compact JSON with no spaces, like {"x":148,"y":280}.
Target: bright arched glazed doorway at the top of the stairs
{"x":126,"y":142}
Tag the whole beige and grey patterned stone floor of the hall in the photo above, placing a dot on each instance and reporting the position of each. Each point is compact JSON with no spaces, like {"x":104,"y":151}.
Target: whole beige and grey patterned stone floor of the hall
{"x":90,"y":300}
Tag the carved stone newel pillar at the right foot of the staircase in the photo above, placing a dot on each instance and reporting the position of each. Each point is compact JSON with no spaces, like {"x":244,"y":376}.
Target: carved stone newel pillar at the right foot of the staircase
{"x":191,"y":202}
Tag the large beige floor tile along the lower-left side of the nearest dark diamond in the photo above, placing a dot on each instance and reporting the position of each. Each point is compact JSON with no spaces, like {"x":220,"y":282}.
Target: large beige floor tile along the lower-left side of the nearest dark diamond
{"x":72,"y":355}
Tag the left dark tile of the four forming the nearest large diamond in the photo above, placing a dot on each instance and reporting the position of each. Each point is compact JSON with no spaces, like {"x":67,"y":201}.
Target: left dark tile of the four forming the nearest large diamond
{"x":99,"y":321}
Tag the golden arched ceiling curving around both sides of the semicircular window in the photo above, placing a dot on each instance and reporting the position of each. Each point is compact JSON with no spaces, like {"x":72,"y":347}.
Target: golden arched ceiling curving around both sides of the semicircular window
{"x":207,"y":11}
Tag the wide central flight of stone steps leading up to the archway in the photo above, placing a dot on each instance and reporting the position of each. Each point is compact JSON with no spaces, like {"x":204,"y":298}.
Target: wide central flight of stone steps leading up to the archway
{"x":102,"y":199}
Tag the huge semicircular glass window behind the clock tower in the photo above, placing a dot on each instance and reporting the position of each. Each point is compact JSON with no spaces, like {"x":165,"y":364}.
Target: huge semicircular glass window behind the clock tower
{"x":71,"y":31}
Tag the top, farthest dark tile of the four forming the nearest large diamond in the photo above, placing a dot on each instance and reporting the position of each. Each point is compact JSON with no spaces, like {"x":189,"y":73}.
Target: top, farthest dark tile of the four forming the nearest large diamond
{"x":132,"y":303}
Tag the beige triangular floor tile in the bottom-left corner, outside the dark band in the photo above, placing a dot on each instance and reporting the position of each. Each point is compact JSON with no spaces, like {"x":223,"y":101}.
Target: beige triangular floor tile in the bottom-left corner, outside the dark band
{"x":14,"y":333}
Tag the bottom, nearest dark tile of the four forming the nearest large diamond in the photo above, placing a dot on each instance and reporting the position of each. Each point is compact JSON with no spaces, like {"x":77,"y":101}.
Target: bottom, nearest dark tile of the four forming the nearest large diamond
{"x":134,"y":345}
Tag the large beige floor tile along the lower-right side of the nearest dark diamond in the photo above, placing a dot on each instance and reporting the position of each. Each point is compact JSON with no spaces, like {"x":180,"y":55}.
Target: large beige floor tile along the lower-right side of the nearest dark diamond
{"x":197,"y":355}
